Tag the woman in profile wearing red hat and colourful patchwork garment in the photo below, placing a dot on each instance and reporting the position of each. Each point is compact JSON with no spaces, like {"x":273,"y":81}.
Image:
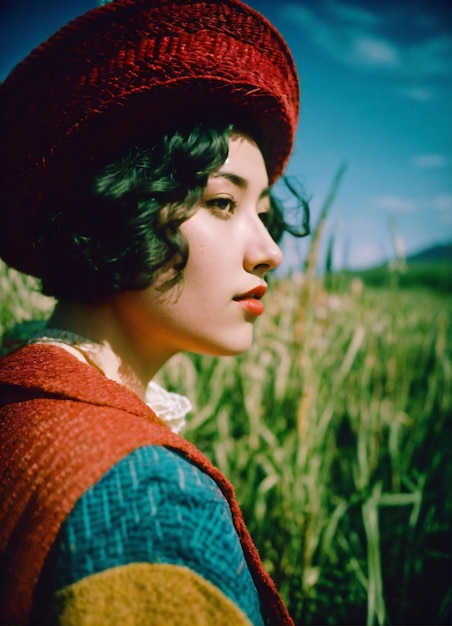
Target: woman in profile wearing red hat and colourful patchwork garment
{"x":140,"y":141}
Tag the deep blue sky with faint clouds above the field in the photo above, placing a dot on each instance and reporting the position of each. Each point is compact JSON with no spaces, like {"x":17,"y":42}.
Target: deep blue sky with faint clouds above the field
{"x":376,"y":82}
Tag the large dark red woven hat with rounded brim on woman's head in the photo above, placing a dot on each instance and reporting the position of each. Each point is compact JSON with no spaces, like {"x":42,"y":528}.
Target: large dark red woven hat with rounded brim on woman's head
{"x":126,"y":70}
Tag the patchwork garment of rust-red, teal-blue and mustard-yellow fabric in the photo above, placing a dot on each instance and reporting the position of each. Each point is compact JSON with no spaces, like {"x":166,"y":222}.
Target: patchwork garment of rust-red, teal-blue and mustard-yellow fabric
{"x":107,"y":516}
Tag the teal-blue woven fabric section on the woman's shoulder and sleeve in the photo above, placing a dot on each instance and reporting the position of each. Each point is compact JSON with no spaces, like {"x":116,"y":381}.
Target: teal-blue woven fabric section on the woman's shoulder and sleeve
{"x":154,"y":506}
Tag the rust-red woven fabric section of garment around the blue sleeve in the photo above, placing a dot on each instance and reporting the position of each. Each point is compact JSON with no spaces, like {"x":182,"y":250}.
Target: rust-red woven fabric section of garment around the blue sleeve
{"x":63,"y":426}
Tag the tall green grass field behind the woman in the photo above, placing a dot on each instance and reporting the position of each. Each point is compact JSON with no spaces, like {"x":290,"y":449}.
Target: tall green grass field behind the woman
{"x":335,"y":428}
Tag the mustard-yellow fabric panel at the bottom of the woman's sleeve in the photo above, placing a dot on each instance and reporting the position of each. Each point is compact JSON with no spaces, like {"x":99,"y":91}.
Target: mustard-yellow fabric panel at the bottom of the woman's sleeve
{"x":145,"y":594}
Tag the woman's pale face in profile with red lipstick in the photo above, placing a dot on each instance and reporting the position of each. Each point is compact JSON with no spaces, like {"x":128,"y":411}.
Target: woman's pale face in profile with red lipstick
{"x":230,"y":252}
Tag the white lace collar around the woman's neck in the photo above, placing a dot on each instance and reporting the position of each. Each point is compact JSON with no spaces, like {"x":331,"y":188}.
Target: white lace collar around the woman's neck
{"x":170,"y":407}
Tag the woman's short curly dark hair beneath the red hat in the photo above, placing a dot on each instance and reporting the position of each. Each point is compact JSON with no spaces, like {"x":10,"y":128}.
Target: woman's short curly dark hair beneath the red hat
{"x":117,"y":230}
